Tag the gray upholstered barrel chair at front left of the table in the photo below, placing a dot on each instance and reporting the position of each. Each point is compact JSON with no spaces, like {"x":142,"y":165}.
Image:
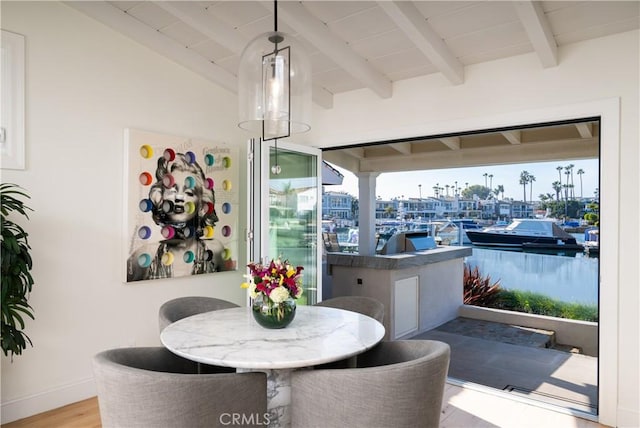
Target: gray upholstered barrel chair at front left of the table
{"x":152,"y":387}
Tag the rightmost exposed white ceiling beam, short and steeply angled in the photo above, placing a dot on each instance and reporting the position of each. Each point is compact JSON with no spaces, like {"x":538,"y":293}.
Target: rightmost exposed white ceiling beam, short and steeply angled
{"x":537,"y":27}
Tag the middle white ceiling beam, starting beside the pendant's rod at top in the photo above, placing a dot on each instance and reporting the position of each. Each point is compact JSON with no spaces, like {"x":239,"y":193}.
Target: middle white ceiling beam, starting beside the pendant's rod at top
{"x":318,"y":34}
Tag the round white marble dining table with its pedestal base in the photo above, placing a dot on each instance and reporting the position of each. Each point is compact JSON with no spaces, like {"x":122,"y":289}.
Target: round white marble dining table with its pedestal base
{"x":232,"y":338}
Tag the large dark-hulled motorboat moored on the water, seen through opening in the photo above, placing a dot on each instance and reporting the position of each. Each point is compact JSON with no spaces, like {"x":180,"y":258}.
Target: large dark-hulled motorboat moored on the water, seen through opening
{"x":526,"y":233}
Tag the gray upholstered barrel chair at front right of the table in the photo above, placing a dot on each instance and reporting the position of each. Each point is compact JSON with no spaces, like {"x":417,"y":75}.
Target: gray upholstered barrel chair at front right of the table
{"x":396,"y":384}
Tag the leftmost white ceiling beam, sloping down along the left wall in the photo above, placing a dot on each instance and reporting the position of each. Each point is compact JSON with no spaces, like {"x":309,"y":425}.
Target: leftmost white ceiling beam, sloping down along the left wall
{"x":156,"y":41}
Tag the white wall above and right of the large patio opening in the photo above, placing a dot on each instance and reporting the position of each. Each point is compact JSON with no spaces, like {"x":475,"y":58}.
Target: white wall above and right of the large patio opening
{"x":599,"y":77}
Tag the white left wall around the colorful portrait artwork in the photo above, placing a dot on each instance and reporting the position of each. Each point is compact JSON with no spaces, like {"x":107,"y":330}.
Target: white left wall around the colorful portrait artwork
{"x":84,"y":85}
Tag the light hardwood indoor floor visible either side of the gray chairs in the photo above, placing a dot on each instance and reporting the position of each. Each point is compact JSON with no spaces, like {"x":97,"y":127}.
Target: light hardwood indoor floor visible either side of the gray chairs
{"x":462,"y":408}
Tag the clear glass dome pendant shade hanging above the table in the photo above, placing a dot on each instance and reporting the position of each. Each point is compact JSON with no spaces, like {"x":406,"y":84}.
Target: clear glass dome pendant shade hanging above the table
{"x":274,"y":87}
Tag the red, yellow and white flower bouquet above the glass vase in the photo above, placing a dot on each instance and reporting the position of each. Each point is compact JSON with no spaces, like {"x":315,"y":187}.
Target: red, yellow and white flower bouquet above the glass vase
{"x":276,"y":281}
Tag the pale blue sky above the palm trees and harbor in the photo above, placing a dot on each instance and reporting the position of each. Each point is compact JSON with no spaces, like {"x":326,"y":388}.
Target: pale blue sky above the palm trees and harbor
{"x":397,"y":184}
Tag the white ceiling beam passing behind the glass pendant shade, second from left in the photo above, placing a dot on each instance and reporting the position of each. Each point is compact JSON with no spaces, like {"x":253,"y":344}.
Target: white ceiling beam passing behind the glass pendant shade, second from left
{"x":195,"y":15}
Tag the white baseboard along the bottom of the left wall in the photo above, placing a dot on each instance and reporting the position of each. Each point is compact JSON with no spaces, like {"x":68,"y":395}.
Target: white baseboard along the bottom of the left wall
{"x":47,"y":400}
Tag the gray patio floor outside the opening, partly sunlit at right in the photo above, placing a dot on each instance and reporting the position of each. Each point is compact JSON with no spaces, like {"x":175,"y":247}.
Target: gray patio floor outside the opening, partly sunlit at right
{"x":523,"y":366}
